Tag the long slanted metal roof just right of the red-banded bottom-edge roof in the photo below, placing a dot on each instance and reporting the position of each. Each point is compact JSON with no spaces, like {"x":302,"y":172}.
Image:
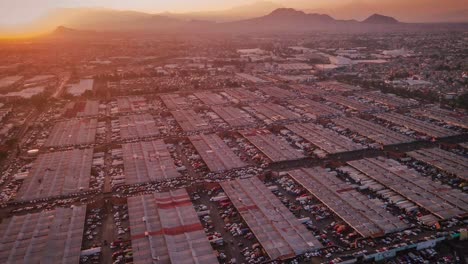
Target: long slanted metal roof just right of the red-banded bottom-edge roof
{"x":279,"y":232}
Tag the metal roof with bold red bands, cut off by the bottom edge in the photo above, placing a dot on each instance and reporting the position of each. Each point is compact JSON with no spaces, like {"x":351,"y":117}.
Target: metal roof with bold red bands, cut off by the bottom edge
{"x":165,"y":228}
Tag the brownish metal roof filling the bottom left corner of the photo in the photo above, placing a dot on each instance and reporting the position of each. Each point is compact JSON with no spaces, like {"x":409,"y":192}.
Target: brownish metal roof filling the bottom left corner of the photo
{"x":53,"y":236}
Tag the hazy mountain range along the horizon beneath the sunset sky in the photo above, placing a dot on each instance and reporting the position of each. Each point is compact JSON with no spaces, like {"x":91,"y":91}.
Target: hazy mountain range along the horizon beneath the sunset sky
{"x":85,"y":21}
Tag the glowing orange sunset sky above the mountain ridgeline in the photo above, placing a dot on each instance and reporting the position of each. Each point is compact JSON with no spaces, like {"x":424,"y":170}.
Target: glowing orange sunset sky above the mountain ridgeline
{"x":26,"y":17}
